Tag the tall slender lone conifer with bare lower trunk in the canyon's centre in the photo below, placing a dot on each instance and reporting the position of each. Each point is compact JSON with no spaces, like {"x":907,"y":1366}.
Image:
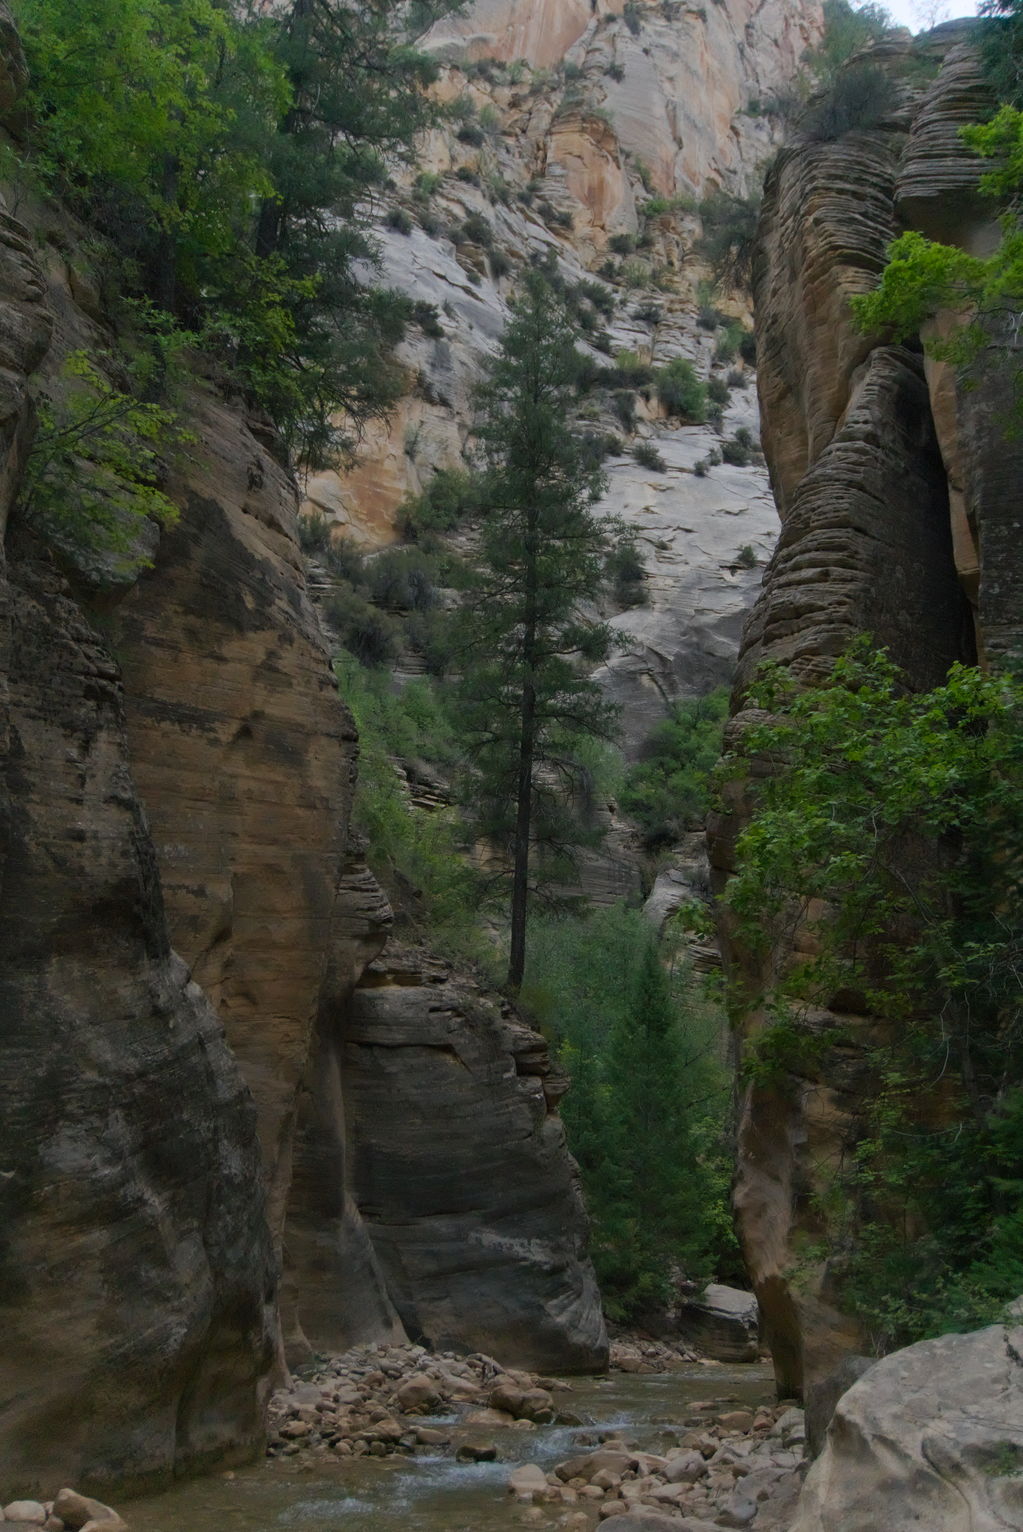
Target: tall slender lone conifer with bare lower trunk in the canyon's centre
{"x":528,"y":633}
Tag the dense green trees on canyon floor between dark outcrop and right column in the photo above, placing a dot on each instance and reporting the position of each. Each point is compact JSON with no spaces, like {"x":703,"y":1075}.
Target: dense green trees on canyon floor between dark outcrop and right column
{"x":647,"y":1107}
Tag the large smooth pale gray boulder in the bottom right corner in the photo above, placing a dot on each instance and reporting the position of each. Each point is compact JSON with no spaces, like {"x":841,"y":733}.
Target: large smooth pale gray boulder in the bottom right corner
{"x":932,"y":1438}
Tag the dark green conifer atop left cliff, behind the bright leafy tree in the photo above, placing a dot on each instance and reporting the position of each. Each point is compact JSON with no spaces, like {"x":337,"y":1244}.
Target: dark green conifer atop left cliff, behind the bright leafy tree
{"x":358,"y":96}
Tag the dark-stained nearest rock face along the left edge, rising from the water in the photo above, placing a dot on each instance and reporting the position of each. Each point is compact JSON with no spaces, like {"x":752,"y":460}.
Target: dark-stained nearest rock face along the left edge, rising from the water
{"x":137,"y":1277}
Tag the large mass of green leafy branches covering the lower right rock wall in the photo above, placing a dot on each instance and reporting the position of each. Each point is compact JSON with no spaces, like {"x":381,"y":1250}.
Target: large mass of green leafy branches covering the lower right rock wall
{"x":889,"y":839}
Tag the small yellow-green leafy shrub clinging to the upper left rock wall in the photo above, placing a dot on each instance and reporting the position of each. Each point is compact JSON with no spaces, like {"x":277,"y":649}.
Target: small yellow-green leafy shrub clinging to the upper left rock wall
{"x":93,"y":477}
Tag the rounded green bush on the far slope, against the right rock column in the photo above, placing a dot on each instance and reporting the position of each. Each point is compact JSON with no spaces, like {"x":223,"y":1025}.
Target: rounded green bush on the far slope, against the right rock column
{"x":667,"y":791}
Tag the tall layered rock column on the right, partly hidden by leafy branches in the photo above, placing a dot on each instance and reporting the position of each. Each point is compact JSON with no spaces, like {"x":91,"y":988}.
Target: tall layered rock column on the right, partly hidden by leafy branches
{"x":897,"y":503}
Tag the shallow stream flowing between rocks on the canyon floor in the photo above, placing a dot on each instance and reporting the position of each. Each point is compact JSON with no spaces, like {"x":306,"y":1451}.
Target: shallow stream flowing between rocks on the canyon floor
{"x":434,"y":1493}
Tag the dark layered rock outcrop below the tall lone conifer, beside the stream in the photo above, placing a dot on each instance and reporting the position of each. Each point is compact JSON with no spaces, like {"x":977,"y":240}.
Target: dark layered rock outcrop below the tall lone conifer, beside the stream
{"x":462,"y":1171}
